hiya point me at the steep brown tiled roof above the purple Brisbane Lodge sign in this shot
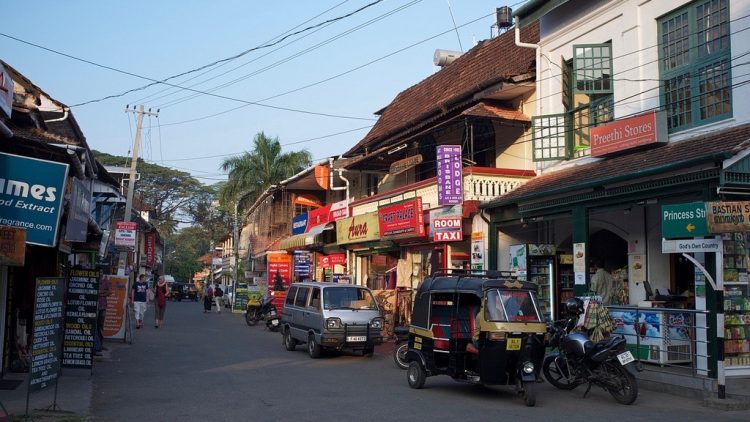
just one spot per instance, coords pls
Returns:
(488, 63)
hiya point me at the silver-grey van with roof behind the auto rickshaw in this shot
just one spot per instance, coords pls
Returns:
(331, 316)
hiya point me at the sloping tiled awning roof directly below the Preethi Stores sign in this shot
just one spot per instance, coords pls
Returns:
(708, 147)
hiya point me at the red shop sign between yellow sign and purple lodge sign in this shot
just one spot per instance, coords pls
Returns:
(402, 219)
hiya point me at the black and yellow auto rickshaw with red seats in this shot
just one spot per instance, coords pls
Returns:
(483, 328)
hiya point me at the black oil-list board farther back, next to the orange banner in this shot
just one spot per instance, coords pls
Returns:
(80, 318)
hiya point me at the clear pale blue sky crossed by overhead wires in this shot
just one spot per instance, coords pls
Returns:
(317, 89)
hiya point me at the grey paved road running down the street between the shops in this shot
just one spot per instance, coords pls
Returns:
(214, 367)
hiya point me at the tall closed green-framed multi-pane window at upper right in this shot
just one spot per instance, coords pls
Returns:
(695, 65)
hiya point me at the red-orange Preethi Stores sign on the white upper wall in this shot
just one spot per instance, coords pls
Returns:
(624, 134)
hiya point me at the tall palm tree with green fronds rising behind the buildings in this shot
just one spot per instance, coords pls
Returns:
(252, 172)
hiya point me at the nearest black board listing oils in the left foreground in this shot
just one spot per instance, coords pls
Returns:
(46, 337)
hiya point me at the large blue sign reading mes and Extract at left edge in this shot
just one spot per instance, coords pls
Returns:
(31, 195)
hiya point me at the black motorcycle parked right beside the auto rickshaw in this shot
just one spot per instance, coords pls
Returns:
(577, 360)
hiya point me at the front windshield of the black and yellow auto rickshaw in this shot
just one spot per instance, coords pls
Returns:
(511, 306)
